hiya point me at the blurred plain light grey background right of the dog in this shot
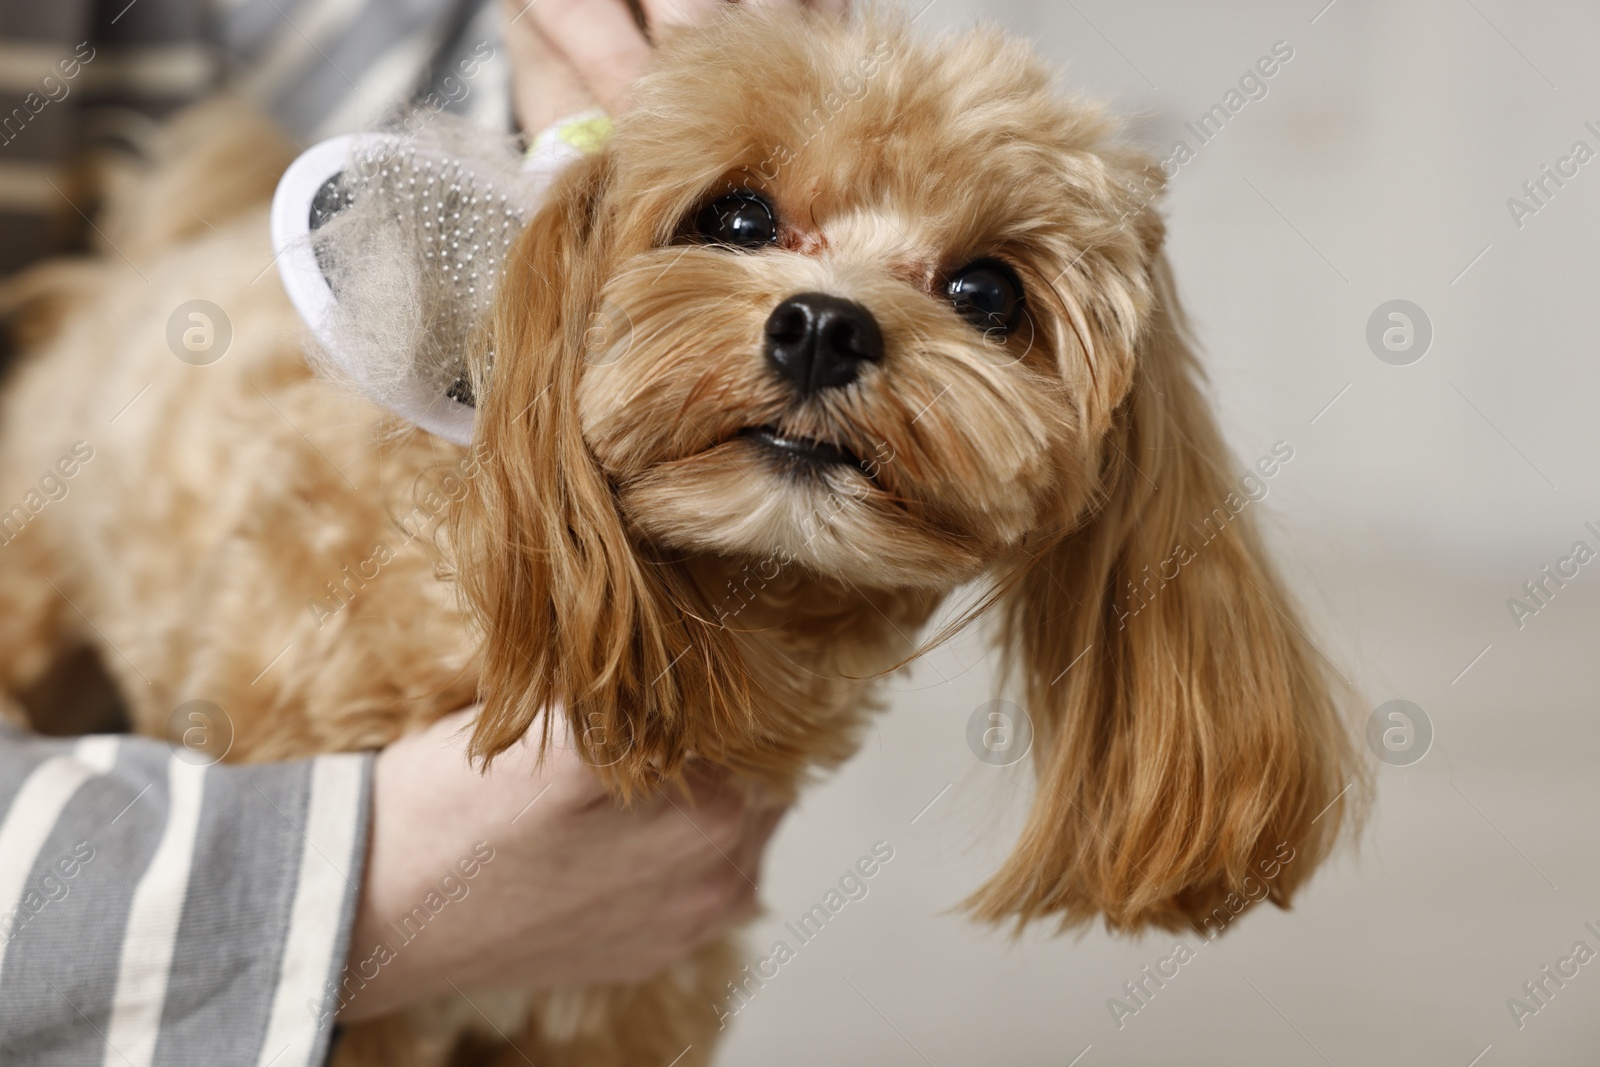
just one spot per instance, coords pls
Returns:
(1420, 500)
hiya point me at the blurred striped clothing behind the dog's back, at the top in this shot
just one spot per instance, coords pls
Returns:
(78, 76)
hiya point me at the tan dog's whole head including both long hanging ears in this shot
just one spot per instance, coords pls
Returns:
(895, 313)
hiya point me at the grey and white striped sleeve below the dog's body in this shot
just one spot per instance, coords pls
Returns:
(156, 911)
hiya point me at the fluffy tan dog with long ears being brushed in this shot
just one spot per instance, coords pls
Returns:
(882, 343)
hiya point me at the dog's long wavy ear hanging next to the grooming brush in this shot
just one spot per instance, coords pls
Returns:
(577, 615)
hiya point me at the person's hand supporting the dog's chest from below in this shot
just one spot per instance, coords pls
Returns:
(575, 890)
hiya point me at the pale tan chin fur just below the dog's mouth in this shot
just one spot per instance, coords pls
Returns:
(833, 522)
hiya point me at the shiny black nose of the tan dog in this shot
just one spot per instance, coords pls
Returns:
(820, 342)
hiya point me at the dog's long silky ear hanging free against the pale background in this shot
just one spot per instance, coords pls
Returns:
(1186, 738)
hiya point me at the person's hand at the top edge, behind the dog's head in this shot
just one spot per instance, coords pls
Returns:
(572, 55)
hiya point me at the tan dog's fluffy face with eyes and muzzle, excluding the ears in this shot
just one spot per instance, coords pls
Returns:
(852, 289)
